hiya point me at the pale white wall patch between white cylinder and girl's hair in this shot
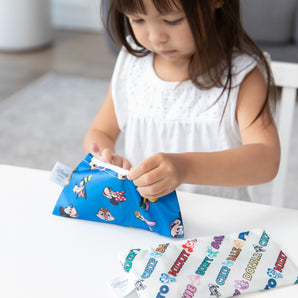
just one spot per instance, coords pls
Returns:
(77, 14)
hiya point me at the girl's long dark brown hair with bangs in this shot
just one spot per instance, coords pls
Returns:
(214, 55)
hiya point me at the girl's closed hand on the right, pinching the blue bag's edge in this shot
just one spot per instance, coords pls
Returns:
(158, 175)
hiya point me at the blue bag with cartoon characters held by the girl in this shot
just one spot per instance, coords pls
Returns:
(101, 192)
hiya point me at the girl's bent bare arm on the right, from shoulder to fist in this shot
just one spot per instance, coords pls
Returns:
(255, 161)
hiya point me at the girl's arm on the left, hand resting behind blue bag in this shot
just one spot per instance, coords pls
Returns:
(103, 133)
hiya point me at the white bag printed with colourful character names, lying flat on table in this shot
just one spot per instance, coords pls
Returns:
(217, 266)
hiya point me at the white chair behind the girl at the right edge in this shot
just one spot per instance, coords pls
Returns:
(286, 77)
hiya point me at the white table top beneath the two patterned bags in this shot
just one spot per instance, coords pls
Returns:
(42, 255)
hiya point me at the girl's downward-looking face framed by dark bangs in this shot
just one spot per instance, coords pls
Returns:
(168, 35)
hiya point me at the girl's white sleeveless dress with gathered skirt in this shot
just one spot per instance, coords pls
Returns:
(161, 116)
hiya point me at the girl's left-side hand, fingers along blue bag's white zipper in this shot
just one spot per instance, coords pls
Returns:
(110, 157)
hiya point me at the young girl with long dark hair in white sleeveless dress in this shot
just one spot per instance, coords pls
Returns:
(190, 90)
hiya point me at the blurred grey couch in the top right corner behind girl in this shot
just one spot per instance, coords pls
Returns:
(273, 25)
